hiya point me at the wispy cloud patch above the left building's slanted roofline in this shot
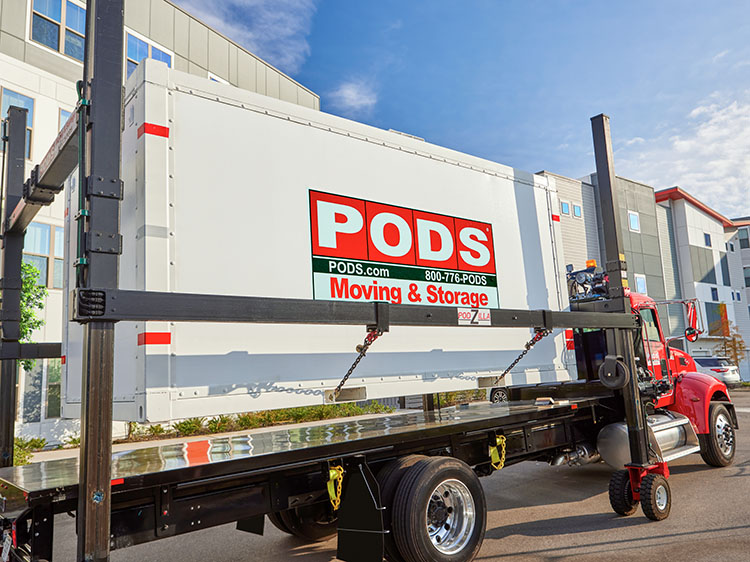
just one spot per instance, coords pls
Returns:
(275, 30)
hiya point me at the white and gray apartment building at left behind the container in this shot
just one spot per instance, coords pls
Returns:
(41, 53)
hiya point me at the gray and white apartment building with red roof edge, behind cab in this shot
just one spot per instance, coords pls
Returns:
(675, 246)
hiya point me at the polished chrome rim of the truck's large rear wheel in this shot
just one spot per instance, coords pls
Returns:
(450, 516)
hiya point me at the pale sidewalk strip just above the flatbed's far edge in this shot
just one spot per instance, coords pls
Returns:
(74, 452)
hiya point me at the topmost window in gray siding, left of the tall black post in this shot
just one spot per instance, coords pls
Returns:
(59, 25)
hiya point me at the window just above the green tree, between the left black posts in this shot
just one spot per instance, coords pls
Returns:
(43, 247)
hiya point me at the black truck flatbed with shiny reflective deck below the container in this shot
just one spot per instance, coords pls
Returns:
(170, 489)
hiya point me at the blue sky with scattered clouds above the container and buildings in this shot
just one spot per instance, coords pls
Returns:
(516, 82)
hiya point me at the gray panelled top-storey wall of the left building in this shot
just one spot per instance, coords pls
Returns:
(197, 49)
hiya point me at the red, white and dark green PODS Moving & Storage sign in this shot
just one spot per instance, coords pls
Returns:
(363, 250)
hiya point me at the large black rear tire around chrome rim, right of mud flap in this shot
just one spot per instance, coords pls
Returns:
(416, 495)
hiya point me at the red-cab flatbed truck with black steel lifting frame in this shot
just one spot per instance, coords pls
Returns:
(403, 487)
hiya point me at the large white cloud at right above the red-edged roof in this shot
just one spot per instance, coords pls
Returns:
(709, 157)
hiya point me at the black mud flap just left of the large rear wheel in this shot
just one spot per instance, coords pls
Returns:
(360, 517)
